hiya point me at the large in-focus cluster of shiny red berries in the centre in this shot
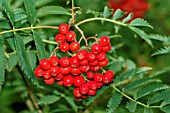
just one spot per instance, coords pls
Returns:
(70, 71)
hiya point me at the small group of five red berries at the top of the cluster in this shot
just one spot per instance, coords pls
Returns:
(67, 39)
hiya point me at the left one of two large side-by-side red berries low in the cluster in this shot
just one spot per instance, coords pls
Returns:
(67, 80)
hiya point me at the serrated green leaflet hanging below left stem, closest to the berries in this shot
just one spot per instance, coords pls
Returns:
(40, 47)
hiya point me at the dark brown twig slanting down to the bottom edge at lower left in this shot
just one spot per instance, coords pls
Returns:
(29, 91)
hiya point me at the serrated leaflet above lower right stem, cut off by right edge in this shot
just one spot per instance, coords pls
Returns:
(160, 96)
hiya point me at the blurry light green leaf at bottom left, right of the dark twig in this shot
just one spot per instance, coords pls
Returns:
(48, 99)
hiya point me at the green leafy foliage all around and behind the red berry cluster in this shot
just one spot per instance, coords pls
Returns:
(21, 51)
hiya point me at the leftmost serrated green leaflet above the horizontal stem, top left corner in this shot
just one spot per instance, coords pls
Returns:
(8, 11)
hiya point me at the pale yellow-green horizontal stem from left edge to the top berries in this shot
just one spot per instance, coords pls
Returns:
(28, 28)
